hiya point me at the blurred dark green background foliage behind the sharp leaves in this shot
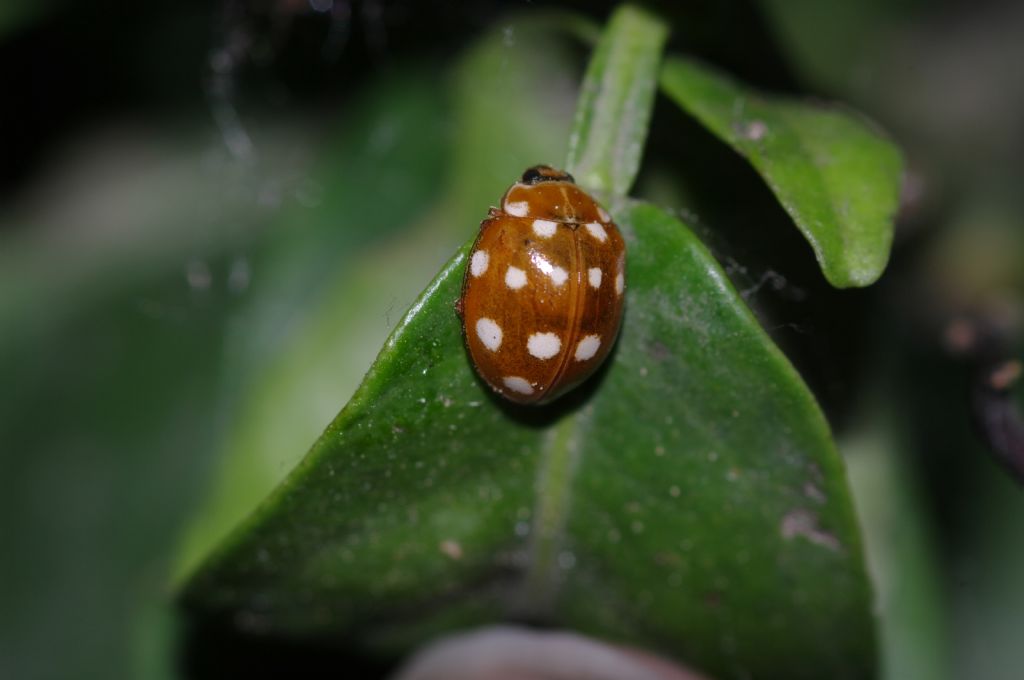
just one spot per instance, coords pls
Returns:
(214, 214)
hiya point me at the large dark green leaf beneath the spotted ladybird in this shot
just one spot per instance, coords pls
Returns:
(689, 499)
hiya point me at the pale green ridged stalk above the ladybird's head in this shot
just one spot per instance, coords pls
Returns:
(616, 104)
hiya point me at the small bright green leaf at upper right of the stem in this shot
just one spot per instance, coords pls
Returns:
(835, 174)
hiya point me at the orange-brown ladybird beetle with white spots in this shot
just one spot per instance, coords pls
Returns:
(542, 299)
